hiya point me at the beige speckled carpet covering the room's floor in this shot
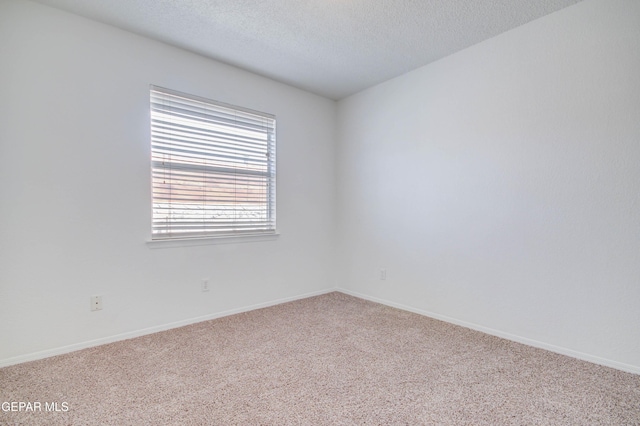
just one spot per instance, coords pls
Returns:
(327, 360)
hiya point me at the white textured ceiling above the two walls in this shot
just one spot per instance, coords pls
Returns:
(330, 47)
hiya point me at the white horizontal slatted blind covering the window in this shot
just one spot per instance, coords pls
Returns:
(213, 167)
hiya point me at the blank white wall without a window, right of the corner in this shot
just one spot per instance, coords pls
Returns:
(500, 186)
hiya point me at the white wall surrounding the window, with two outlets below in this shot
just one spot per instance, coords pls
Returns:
(75, 198)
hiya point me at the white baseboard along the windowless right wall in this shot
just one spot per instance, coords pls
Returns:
(530, 342)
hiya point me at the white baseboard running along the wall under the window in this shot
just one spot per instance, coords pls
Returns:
(130, 335)
